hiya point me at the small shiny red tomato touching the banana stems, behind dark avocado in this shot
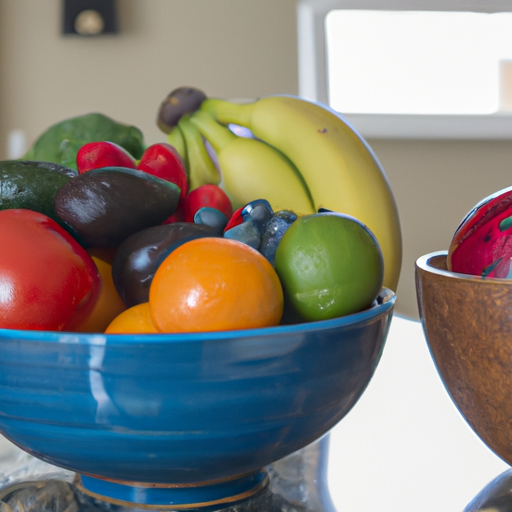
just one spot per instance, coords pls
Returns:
(163, 161)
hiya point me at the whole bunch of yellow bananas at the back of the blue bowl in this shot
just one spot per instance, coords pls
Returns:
(297, 154)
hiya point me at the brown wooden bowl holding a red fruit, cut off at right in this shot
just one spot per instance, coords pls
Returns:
(467, 322)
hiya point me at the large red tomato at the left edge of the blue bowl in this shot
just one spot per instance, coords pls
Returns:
(47, 280)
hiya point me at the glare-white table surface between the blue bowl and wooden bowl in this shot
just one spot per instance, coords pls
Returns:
(404, 446)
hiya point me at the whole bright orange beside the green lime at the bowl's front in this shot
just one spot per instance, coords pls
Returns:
(214, 284)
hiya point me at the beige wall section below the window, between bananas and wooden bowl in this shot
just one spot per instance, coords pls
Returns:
(435, 184)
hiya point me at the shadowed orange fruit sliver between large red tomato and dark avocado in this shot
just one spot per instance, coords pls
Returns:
(109, 304)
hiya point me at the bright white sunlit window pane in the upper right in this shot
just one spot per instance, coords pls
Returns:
(417, 62)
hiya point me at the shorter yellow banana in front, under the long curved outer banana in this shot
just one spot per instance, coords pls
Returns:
(251, 169)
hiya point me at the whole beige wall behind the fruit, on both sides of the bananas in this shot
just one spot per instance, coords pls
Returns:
(232, 49)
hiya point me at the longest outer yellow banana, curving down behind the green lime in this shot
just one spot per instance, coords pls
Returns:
(340, 169)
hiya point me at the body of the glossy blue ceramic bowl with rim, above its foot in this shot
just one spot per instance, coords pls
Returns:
(184, 408)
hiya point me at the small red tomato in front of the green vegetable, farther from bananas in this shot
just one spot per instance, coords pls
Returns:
(95, 155)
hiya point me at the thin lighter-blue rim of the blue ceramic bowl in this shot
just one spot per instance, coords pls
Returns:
(382, 306)
